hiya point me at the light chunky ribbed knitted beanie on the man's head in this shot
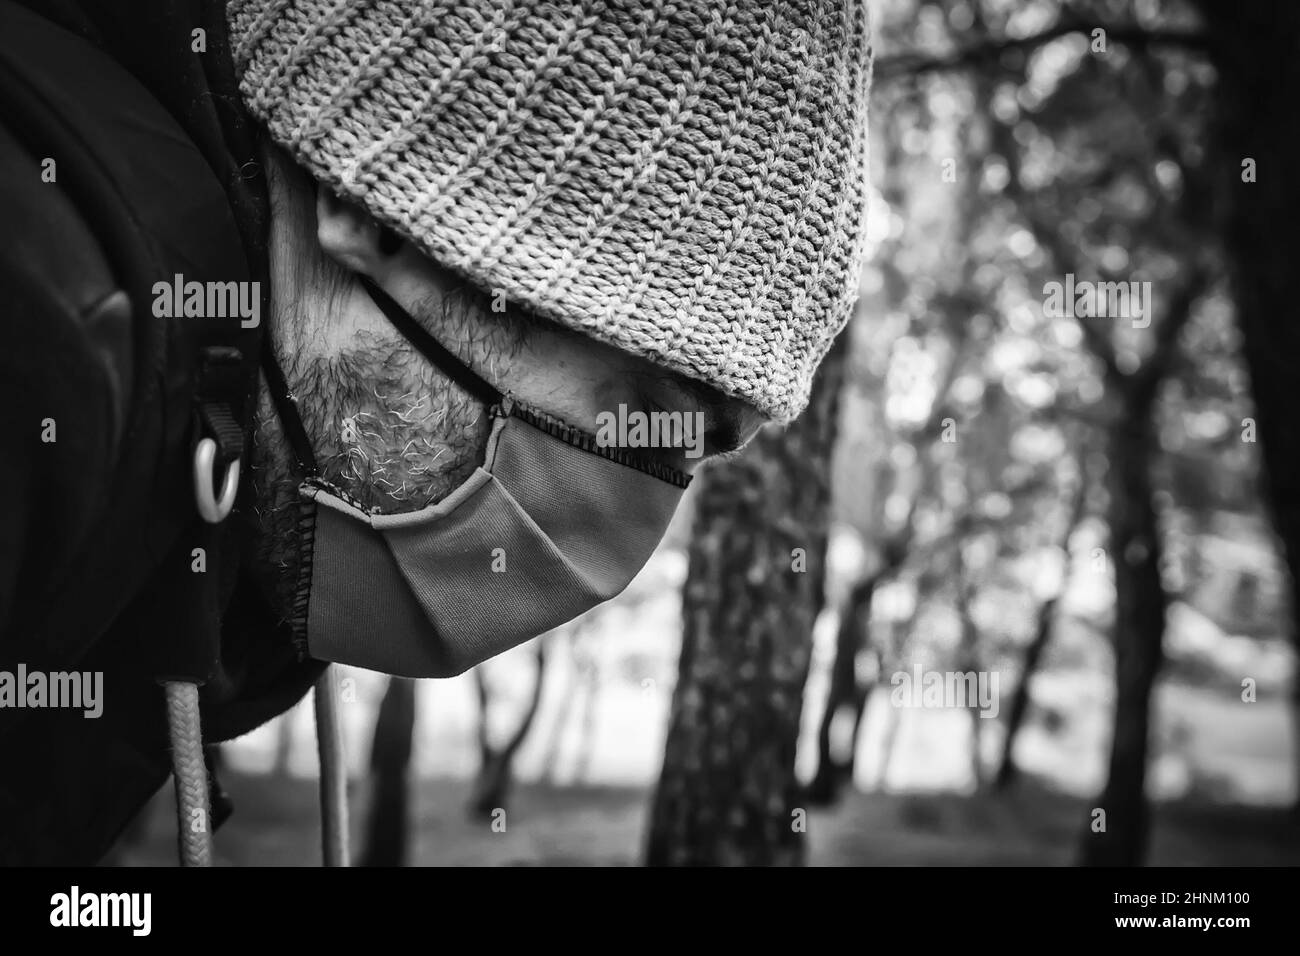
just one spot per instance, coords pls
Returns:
(683, 180)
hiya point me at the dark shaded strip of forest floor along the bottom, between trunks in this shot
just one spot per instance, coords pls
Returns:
(276, 820)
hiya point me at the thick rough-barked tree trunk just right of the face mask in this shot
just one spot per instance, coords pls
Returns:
(729, 794)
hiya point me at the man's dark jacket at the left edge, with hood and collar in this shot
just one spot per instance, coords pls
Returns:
(154, 174)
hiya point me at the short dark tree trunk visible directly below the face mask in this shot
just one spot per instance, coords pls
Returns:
(388, 825)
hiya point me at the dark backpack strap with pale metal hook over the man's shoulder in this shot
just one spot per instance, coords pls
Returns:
(158, 211)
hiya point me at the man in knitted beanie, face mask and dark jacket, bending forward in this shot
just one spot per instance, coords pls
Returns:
(323, 313)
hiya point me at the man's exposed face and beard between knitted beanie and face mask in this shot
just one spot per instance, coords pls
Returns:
(391, 430)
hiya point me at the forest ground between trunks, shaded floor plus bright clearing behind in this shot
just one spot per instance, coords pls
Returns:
(1223, 767)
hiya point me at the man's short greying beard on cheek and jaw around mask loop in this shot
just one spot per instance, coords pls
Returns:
(388, 430)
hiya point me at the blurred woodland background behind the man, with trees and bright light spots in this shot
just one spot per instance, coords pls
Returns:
(1091, 511)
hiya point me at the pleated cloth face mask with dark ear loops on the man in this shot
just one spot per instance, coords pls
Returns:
(548, 527)
